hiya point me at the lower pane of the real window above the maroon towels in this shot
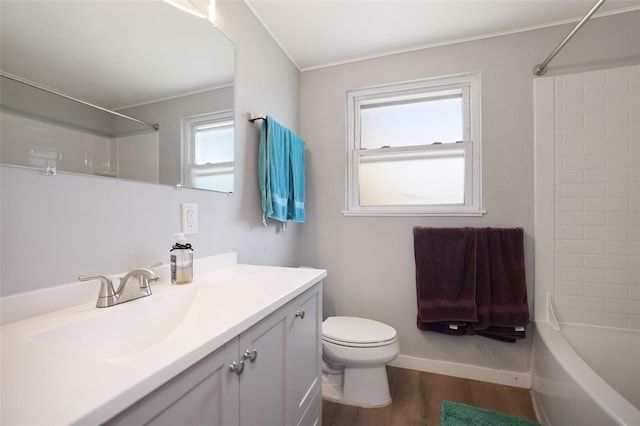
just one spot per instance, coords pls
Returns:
(418, 179)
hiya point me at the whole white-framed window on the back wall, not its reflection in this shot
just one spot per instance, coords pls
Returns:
(414, 148)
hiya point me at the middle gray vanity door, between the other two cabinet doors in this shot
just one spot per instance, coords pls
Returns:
(264, 396)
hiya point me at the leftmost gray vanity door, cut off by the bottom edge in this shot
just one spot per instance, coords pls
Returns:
(205, 394)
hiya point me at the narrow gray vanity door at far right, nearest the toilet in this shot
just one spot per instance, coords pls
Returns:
(307, 352)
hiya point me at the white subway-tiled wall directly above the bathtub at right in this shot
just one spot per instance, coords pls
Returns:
(598, 197)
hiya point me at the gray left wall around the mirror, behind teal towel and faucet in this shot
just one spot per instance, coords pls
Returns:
(56, 228)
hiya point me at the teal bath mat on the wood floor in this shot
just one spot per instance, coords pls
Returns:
(456, 414)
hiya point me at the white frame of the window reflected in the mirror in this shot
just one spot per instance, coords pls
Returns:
(189, 126)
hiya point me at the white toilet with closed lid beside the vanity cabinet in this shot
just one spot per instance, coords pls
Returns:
(354, 354)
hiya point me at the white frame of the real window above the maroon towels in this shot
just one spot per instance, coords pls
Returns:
(471, 146)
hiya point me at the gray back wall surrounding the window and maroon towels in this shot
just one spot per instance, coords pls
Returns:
(370, 259)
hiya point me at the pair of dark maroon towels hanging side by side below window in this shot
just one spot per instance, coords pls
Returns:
(473, 278)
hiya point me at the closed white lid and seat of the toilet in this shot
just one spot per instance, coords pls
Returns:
(357, 330)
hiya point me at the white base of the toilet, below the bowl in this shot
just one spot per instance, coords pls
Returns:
(361, 387)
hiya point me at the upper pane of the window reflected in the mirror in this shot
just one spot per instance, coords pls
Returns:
(213, 144)
